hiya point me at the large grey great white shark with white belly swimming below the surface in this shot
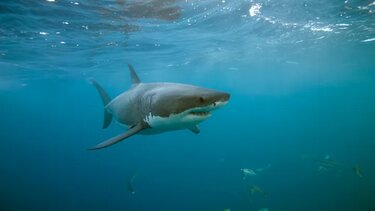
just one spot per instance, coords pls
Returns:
(152, 108)
